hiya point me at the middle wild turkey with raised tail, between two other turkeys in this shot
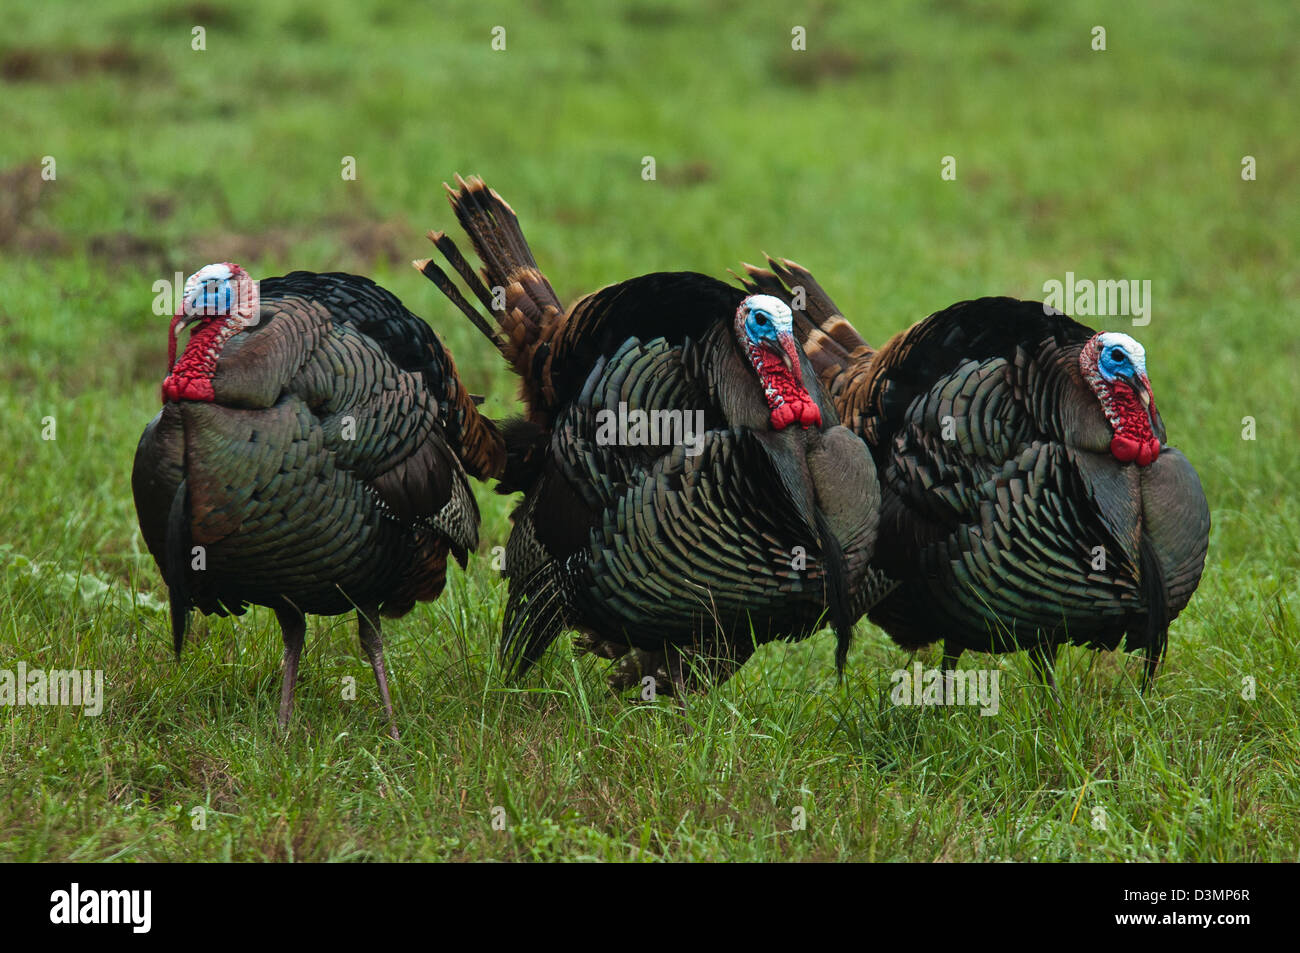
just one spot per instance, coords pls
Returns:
(673, 556)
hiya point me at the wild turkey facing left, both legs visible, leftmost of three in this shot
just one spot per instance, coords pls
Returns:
(310, 457)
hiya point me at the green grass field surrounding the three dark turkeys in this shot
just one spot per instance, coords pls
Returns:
(1124, 163)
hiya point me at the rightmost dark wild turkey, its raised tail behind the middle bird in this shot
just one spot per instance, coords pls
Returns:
(1029, 495)
